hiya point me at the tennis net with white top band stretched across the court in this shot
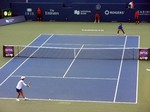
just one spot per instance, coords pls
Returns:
(76, 53)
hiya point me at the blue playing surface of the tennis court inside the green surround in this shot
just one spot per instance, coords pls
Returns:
(95, 74)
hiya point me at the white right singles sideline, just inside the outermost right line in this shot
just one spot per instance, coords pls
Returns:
(120, 69)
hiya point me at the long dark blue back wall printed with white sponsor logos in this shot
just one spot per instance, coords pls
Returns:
(82, 11)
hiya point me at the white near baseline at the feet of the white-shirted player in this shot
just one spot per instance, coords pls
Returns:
(70, 101)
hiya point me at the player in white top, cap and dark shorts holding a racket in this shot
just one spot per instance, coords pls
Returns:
(19, 88)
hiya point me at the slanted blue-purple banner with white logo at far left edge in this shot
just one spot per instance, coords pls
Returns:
(11, 20)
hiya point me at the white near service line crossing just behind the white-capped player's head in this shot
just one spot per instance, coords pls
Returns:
(55, 77)
